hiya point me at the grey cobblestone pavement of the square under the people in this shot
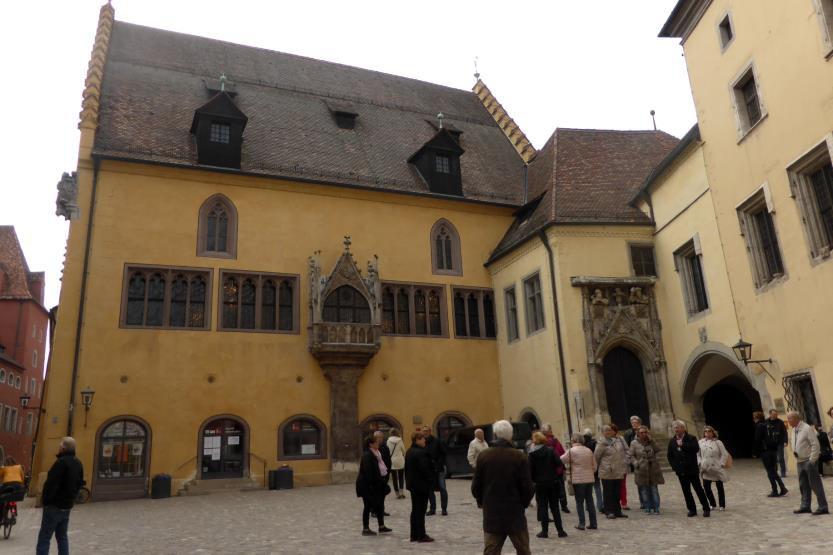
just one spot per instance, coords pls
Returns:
(328, 520)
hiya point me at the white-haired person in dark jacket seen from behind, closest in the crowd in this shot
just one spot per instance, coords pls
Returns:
(502, 486)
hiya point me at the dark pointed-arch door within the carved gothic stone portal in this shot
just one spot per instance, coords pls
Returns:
(625, 388)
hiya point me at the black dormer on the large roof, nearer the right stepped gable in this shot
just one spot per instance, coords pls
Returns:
(438, 162)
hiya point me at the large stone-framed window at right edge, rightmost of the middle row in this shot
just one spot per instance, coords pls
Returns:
(811, 181)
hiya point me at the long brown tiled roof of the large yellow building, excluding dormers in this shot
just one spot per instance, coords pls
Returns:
(155, 79)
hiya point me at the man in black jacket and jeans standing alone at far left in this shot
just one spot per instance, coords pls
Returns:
(64, 480)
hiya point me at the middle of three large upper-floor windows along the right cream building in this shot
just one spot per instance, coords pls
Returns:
(758, 229)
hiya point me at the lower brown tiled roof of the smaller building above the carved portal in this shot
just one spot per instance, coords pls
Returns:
(587, 176)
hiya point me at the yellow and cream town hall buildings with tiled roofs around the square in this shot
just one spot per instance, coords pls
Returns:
(270, 254)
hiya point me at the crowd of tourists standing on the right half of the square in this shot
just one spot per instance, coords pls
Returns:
(507, 479)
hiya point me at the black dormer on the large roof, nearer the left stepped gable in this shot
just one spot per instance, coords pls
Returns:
(218, 127)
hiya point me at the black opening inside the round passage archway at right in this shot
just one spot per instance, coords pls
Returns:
(728, 407)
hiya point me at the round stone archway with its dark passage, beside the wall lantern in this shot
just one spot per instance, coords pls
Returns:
(723, 395)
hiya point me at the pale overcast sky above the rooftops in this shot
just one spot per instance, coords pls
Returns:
(556, 63)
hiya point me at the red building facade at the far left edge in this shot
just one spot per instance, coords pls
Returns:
(24, 325)
